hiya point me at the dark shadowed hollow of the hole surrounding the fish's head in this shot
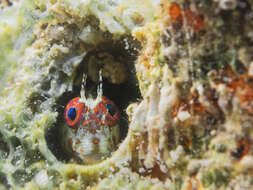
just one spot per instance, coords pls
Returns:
(121, 94)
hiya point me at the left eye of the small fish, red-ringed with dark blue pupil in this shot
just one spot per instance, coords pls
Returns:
(74, 111)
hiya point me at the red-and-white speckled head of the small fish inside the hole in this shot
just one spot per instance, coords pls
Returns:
(91, 129)
